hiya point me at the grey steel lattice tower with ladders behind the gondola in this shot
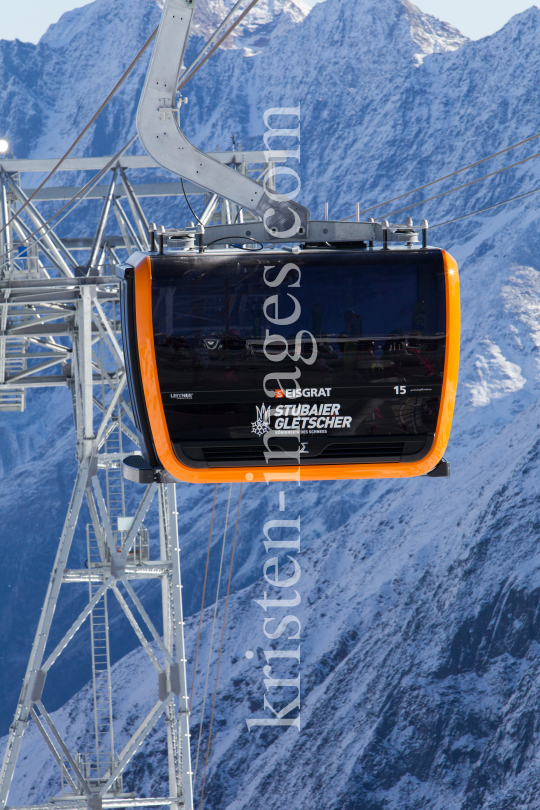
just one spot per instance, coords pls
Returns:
(59, 326)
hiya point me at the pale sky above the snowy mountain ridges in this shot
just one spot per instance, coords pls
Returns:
(28, 20)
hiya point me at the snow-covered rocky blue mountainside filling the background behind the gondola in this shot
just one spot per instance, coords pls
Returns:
(419, 664)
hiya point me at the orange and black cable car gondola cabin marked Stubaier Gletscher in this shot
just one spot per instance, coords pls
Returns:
(335, 361)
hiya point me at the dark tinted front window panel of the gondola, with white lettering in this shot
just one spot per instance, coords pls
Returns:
(364, 333)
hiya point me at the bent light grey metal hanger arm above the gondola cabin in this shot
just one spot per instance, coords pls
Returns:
(160, 134)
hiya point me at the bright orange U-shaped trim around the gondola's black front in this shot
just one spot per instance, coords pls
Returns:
(330, 472)
